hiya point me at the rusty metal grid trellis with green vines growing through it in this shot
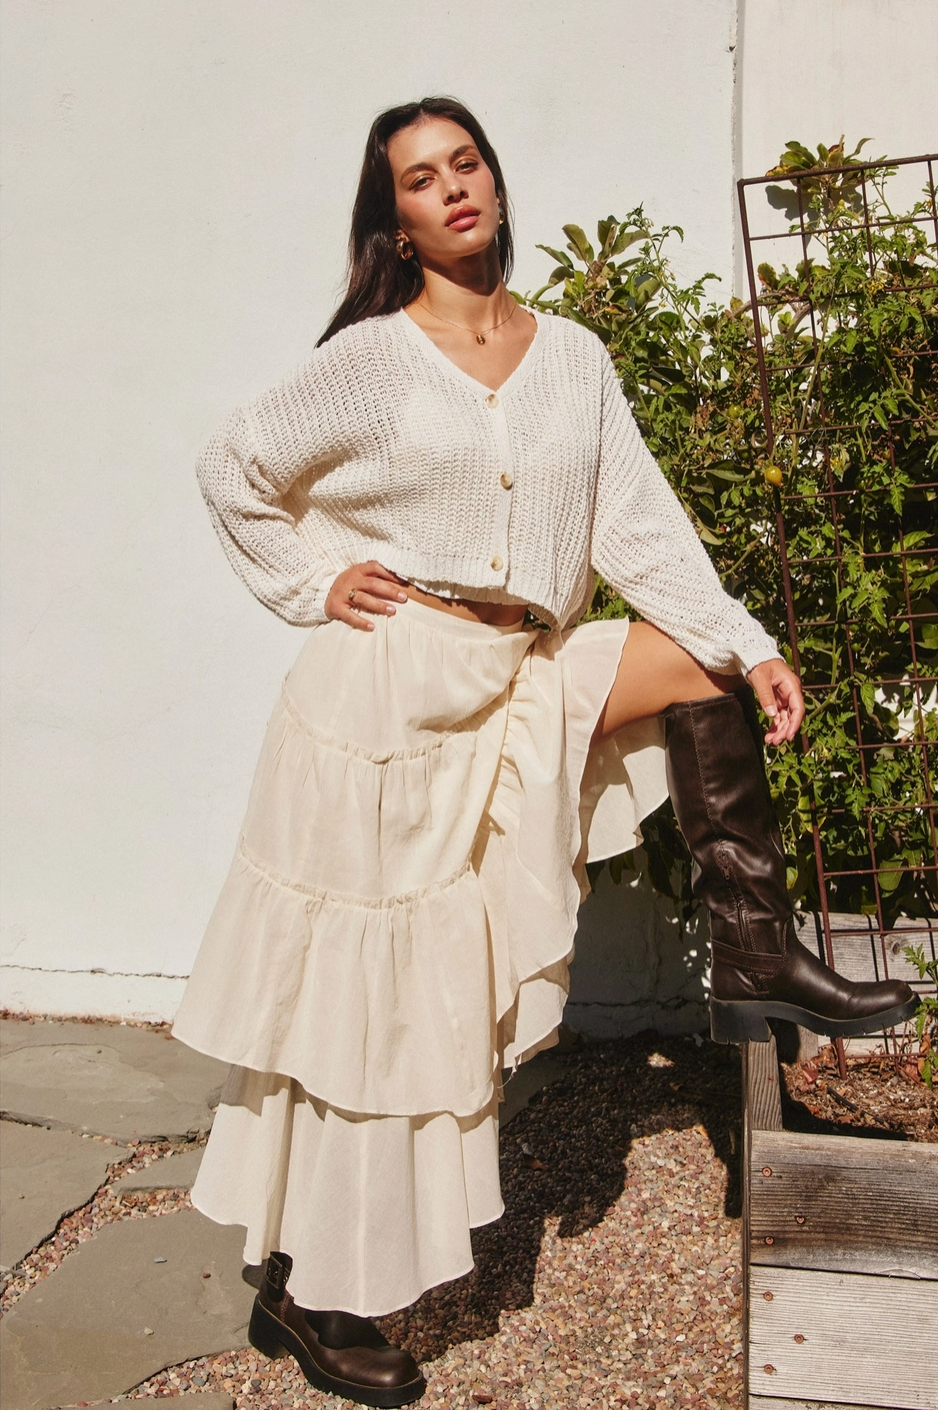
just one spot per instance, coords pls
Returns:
(848, 521)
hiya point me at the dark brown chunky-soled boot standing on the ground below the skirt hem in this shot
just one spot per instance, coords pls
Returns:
(338, 1353)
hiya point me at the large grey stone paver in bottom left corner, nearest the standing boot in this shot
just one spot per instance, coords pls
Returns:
(123, 1306)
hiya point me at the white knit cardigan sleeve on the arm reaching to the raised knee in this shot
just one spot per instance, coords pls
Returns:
(647, 548)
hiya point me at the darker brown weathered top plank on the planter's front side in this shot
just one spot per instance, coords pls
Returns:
(844, 1203)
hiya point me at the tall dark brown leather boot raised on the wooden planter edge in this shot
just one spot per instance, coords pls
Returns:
(760, 969)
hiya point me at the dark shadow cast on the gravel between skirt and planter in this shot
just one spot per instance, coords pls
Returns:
(566, 1157)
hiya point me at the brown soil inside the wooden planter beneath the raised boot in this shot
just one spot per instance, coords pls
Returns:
(881, 1096)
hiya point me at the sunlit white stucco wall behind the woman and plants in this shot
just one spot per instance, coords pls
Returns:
(177, 190)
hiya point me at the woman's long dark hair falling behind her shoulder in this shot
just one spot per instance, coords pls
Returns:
(380, 281)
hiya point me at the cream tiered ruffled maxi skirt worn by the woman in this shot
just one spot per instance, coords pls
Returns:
(396, 931)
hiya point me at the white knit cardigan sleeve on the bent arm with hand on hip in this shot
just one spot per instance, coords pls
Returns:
(246, 474)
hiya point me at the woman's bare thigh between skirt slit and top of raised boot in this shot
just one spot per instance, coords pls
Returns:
(655, 673)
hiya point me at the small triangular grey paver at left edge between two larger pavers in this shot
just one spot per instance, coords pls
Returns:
(43, 1177)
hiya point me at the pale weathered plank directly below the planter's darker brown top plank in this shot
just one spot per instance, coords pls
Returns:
(844, 1337)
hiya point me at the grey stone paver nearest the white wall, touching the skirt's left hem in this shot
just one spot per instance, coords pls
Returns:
(129, 1084)
